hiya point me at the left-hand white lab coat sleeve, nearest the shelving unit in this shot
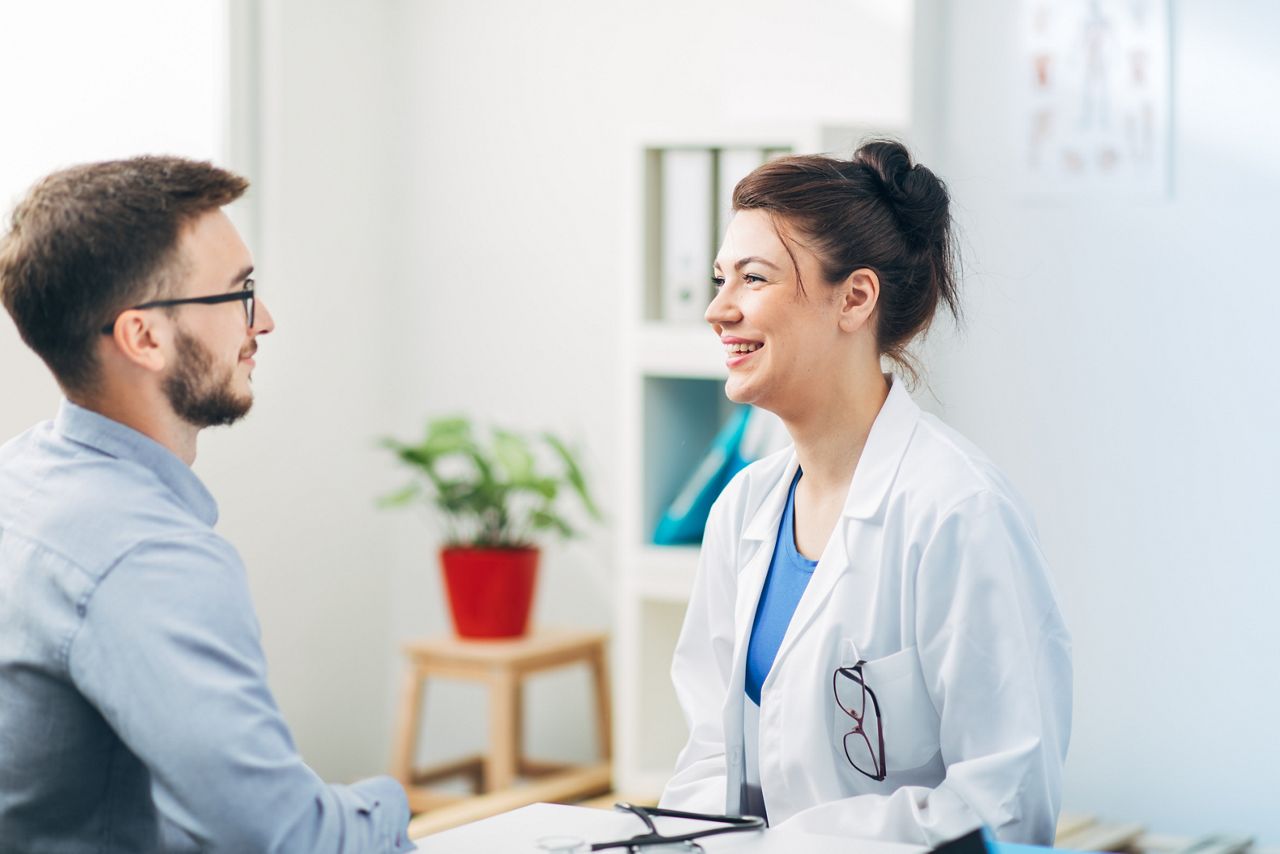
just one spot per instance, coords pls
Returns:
(701, 669)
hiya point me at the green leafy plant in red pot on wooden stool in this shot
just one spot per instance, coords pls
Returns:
(496, 499)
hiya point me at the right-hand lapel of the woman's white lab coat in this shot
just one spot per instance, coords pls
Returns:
(877, 467)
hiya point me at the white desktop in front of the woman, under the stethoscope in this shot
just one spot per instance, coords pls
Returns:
(518, 833)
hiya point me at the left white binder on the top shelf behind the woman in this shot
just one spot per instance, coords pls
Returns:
(688, 220)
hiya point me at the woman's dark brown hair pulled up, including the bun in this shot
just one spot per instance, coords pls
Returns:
(879, 212)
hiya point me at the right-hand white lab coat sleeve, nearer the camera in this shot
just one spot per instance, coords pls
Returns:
(998, 663)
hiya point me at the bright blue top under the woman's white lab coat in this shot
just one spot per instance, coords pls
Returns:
(789, 576)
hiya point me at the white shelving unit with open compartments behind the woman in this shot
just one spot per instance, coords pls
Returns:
(673, 404)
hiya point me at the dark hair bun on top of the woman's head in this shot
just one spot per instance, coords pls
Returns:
(920, 199)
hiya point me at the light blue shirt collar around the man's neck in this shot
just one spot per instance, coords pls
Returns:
(109, 437)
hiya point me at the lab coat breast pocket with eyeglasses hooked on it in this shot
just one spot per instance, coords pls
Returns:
(907, 715)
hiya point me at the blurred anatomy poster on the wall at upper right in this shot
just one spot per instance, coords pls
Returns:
(1095, 81)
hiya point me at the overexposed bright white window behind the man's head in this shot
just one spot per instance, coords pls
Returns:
(85, 98)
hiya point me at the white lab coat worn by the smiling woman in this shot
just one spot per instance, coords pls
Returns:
(935, 577)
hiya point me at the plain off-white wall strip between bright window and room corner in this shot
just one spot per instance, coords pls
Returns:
(298, 481)
